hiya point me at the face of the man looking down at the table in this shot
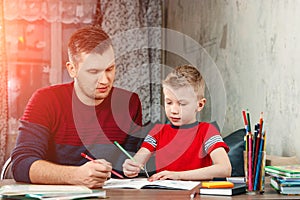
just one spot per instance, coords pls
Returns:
(94, 77)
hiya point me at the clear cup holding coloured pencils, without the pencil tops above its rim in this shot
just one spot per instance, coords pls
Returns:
(254, 167)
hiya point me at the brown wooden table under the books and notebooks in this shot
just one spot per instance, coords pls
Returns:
(152, 194)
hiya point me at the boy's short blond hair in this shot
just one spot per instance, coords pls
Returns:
(186, 75)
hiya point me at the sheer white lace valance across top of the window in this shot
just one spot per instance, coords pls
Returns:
(65, 11)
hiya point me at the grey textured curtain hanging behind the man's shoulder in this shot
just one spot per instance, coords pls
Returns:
(129, 24)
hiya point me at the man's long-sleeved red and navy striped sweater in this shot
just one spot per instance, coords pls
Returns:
(56, 126)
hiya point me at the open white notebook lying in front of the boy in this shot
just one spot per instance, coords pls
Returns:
(143, 183)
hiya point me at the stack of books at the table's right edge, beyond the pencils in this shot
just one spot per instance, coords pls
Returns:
(285, 179)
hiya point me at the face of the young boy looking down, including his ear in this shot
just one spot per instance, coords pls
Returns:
(182, 105)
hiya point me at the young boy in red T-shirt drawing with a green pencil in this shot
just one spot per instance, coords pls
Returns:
(185, 149)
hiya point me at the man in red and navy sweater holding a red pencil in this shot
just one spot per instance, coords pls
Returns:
(85, 116)
